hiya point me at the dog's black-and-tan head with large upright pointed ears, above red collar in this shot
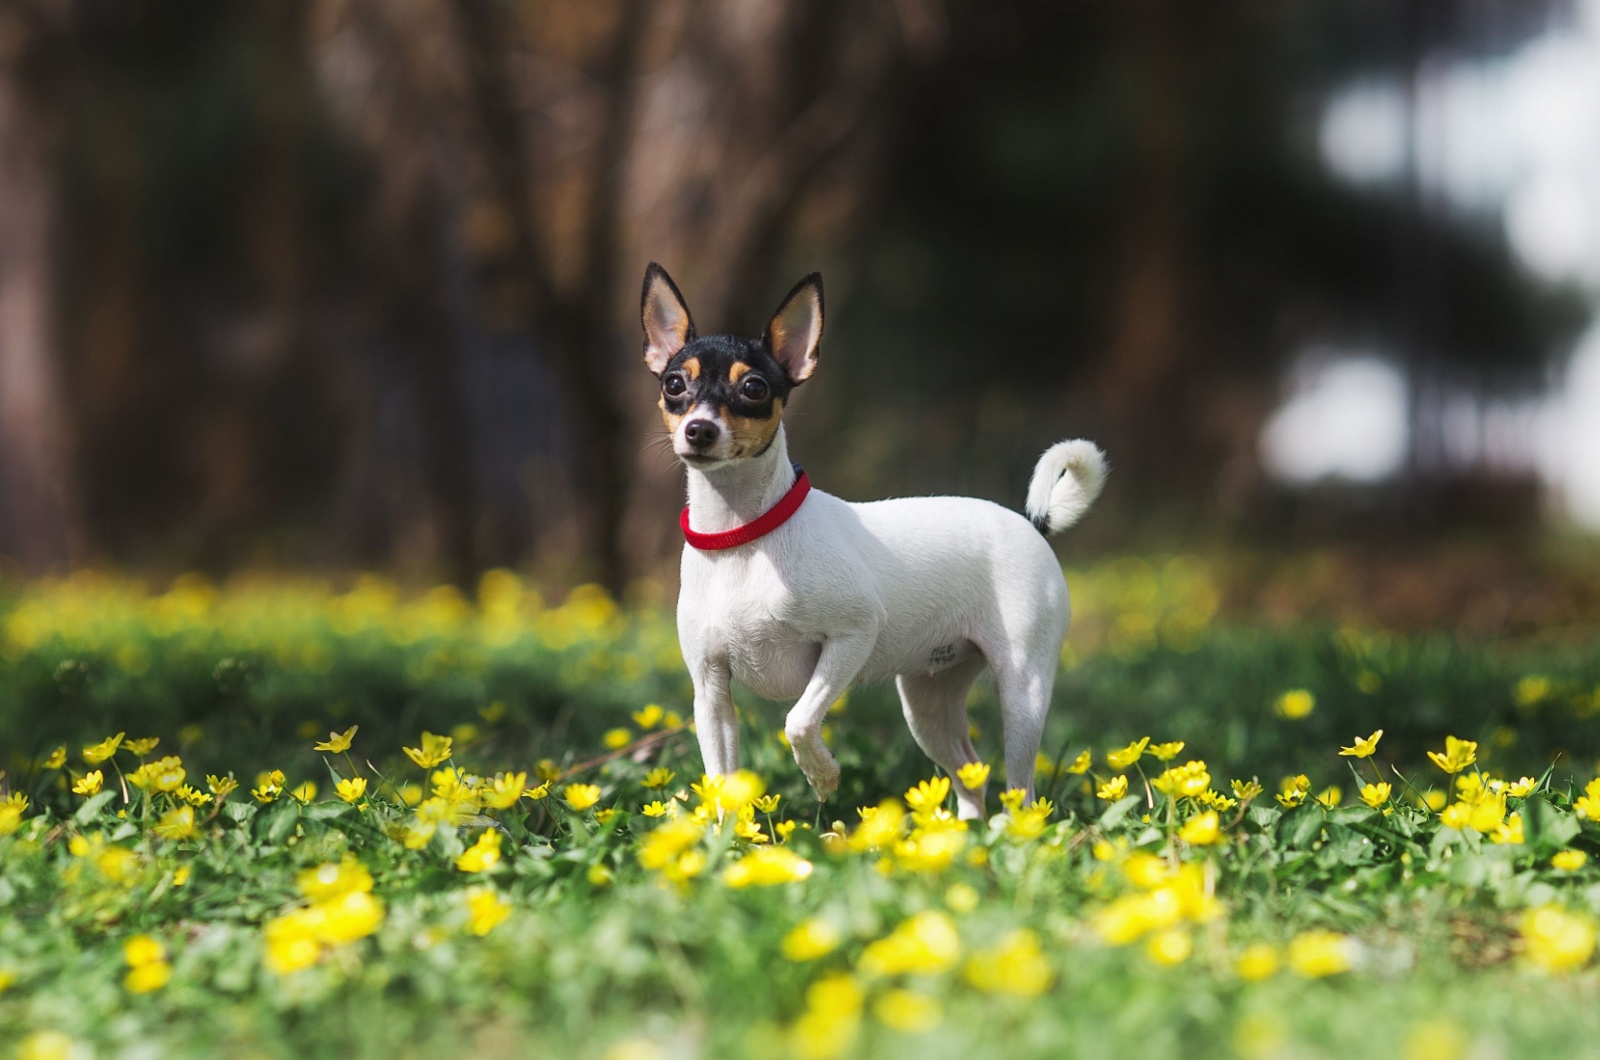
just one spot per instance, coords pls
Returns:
(722, 398)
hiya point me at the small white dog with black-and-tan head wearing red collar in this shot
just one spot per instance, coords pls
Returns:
(799, 595)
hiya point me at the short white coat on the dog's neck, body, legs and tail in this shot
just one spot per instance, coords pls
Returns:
(927, 590)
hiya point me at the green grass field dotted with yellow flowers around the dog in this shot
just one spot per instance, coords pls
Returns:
(287, 819)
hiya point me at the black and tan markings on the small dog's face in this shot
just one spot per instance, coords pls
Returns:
(734, 380)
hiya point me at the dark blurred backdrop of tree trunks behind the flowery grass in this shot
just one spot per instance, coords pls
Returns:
(353, 284)
